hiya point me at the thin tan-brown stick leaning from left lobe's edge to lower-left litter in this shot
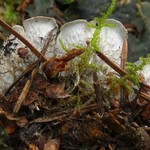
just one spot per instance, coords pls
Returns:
(33, 74)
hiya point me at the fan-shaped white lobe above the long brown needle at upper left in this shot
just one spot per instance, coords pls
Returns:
(37, 30)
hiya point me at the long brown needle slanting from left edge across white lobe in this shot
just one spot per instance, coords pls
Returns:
(22, 39)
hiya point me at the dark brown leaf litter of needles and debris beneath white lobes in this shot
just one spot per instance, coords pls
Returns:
(50, 117)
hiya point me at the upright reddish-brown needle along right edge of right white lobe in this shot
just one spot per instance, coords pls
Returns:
(124, 54)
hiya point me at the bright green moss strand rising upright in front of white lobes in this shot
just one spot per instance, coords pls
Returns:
(98, 24)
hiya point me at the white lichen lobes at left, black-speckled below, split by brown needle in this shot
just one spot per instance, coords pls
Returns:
(35, 30)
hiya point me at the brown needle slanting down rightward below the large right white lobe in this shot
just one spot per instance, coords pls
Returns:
(118, 69)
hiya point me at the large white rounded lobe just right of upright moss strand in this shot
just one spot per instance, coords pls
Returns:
(112, 38)
